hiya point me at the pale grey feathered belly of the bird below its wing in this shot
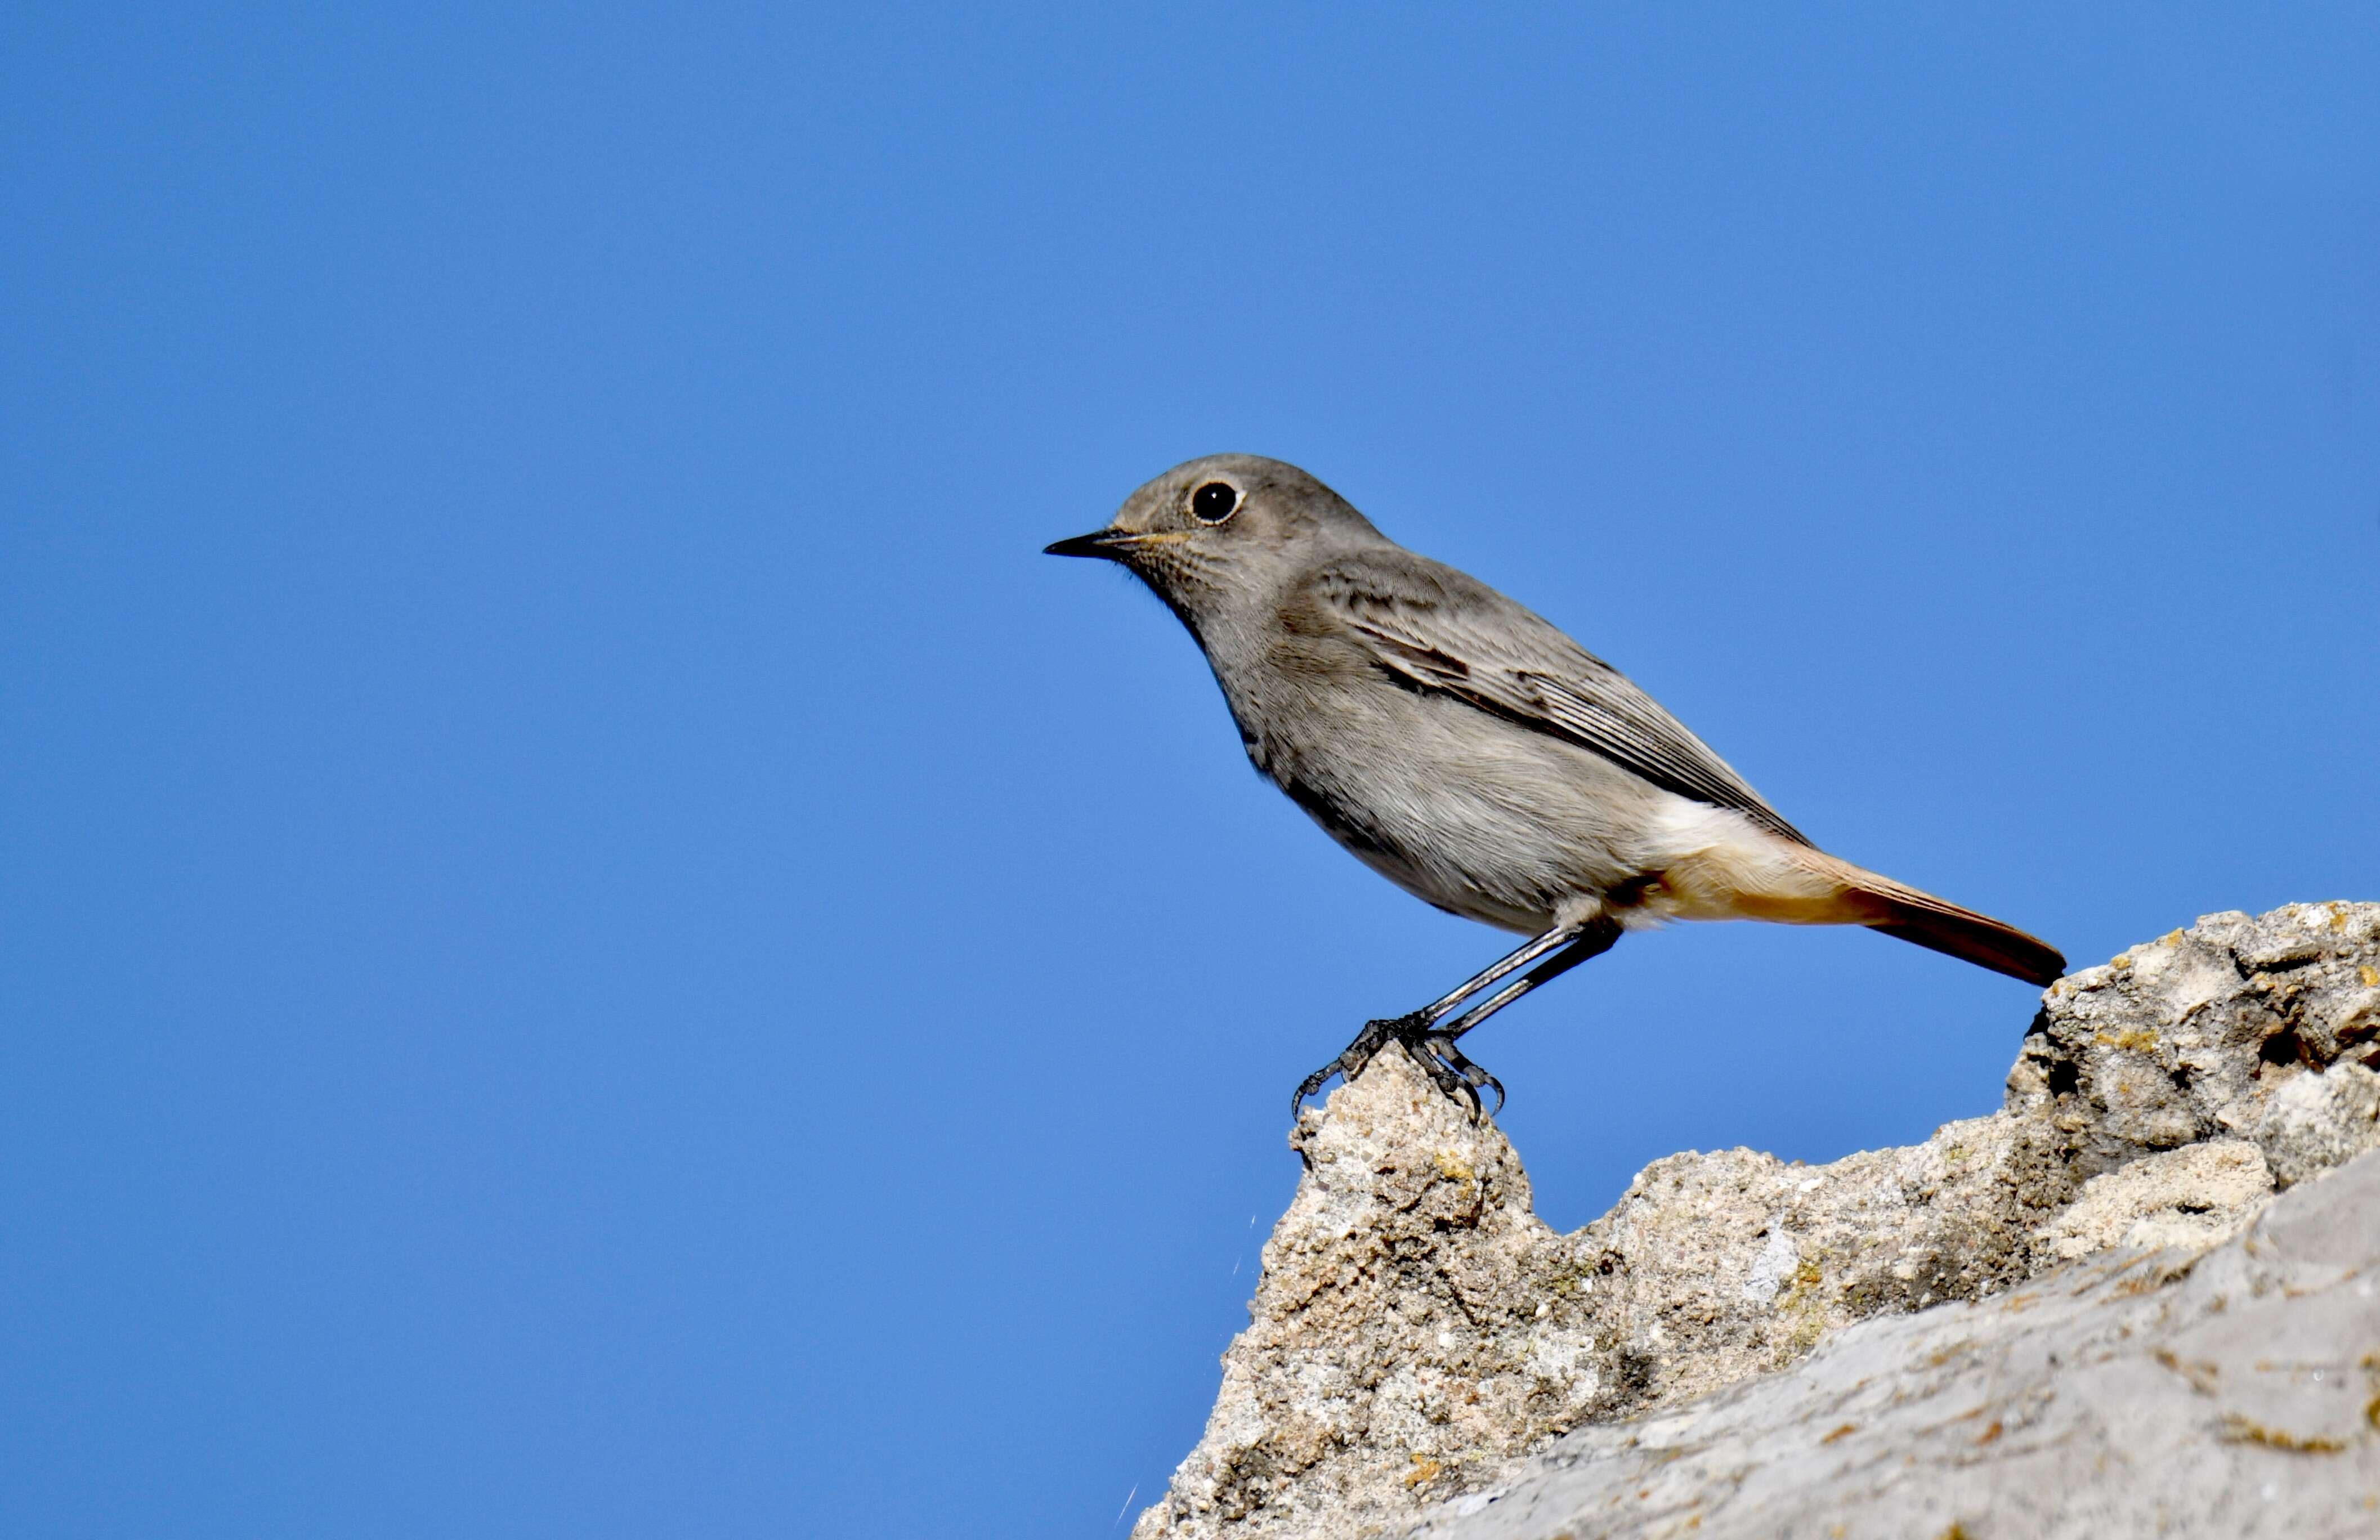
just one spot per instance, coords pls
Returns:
(1465, 810)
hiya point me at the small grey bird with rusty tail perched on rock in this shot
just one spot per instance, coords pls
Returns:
(1472, 753)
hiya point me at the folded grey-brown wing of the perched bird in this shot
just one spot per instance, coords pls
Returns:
(1448, 632)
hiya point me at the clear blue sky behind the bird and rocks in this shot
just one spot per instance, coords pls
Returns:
(599, 946)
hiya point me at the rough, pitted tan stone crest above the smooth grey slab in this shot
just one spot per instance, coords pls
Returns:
(1417, 1332)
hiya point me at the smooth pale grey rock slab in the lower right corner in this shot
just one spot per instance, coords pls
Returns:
(2224, 1394)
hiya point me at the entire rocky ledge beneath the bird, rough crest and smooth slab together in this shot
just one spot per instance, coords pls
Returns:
(2084, 1315)
